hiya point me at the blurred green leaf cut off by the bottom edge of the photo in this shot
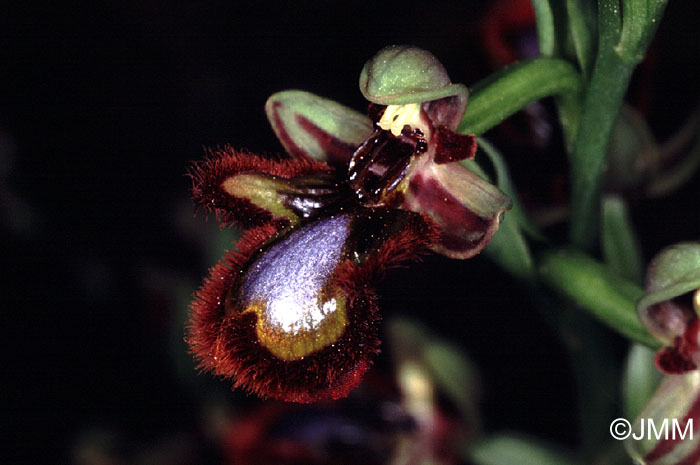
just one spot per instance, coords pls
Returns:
(509, 449)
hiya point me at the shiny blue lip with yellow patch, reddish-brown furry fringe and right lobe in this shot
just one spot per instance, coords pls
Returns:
(292, 315)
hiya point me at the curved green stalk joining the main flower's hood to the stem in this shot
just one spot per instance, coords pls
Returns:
(510, 90)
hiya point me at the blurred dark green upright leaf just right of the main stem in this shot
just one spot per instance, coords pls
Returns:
(620, 245)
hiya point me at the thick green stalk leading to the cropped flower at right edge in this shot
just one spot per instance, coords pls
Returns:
(593, 287)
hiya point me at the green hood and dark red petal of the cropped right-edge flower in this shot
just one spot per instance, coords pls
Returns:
(671, 306)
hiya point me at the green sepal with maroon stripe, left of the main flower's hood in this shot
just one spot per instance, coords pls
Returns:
(311, 126)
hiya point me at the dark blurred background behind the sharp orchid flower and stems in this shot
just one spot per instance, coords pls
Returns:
(104, 104)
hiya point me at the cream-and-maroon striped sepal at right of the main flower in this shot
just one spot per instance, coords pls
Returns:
(466, 208)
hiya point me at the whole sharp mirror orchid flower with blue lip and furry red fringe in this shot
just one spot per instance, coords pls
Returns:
(292, 313)
